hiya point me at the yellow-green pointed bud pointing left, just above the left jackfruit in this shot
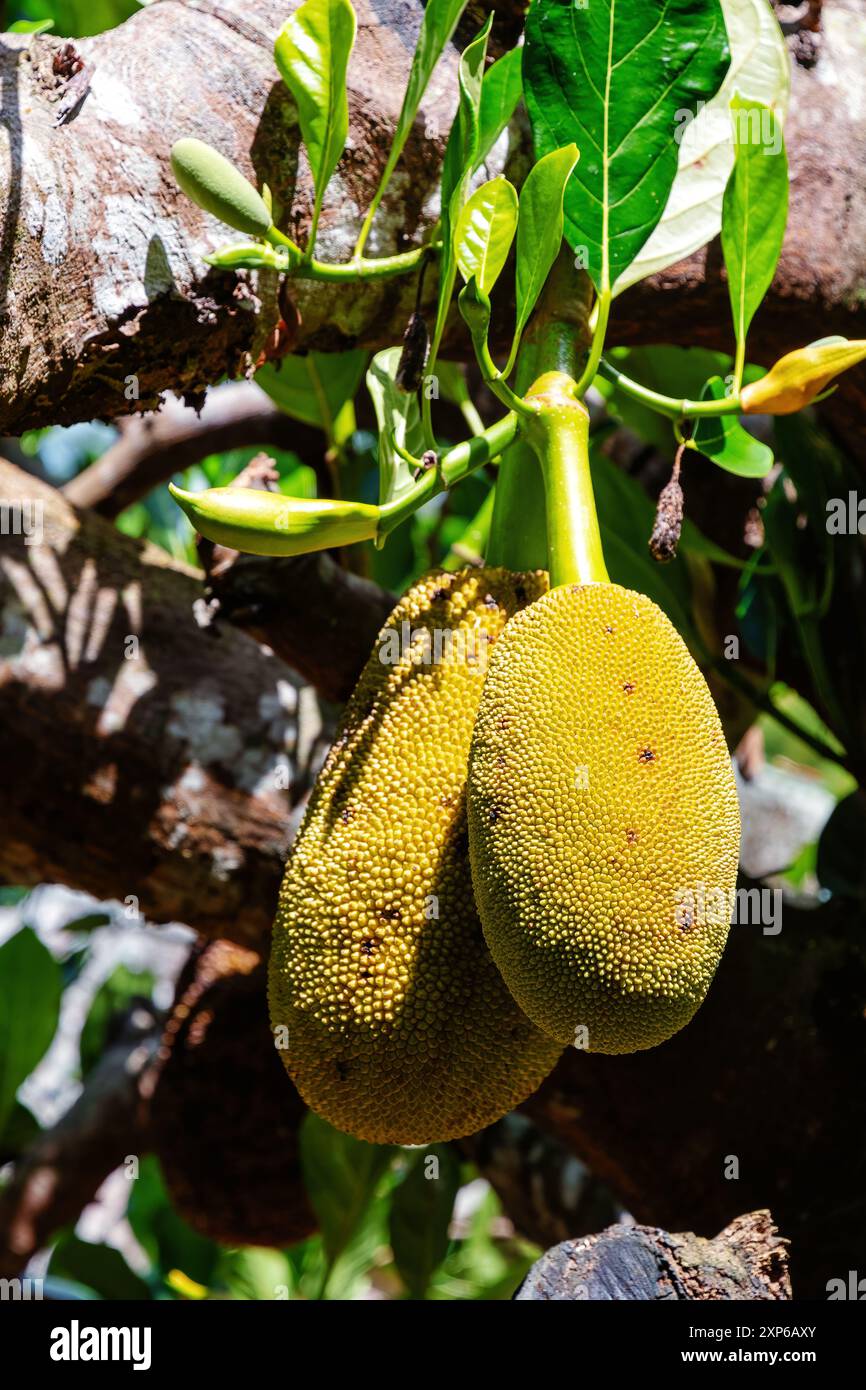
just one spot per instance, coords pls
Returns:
(266, 523)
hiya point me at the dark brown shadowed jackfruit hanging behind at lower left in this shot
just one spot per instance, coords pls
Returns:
(224, 1121)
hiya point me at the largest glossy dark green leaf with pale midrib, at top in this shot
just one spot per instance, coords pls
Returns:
(612, 80)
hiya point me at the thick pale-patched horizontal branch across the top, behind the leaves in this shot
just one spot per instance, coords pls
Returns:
(102, 256)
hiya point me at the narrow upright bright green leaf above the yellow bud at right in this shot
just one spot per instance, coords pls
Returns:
(755, 211)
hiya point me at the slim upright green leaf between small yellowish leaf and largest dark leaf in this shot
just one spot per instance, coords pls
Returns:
(540, 231)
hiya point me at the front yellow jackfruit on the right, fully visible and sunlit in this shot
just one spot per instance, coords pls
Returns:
(604, 819)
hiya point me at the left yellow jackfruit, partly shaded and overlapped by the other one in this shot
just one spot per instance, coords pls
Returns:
(400, 1028)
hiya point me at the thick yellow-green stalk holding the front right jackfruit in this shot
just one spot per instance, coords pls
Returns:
(559, 433)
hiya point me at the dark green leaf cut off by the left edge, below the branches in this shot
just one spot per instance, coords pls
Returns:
(30, 1008)
